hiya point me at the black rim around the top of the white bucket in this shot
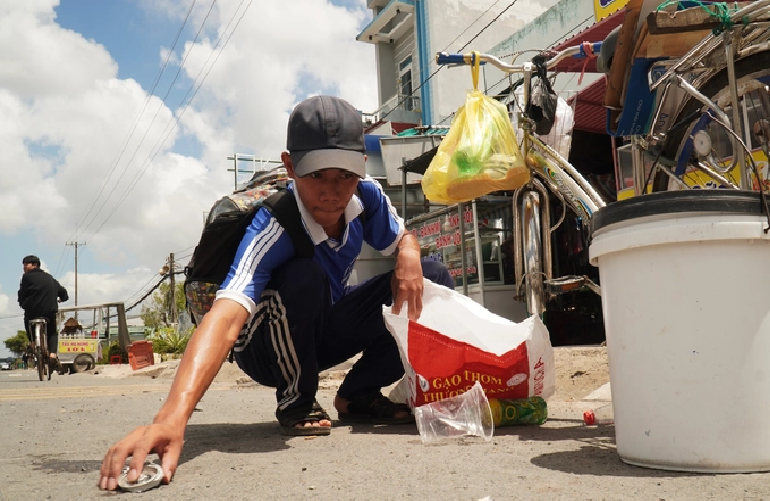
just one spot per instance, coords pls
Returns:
(741, 202)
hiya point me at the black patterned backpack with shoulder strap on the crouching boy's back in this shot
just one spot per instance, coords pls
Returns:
(222, 234)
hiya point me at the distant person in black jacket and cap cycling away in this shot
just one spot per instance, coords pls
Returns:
(39, 297)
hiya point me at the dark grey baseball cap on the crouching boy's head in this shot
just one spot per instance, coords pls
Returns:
(326, 132)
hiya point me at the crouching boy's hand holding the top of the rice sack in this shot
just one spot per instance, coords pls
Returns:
(407, 278)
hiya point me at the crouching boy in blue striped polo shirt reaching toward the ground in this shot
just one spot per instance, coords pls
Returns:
(289, 317)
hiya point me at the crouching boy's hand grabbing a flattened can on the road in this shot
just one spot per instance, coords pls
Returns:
(164, 439)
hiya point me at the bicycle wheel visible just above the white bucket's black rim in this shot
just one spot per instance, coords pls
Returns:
(701, 139)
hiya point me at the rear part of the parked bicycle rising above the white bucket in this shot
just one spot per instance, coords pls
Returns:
(710, 142)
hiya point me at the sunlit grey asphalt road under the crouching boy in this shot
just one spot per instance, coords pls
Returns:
(56, 432)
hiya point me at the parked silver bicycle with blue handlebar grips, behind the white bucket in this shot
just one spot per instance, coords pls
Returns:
(665, 144)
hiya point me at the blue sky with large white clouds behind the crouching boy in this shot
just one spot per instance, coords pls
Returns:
(75, 78)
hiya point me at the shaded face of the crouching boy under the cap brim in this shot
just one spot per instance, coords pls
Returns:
(326, 193)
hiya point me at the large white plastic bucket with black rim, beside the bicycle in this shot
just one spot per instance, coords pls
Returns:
(685, 280)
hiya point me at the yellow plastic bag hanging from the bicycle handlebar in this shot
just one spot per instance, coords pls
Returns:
(479, 154)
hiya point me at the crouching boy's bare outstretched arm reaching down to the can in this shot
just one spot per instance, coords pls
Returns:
(200, 364)
